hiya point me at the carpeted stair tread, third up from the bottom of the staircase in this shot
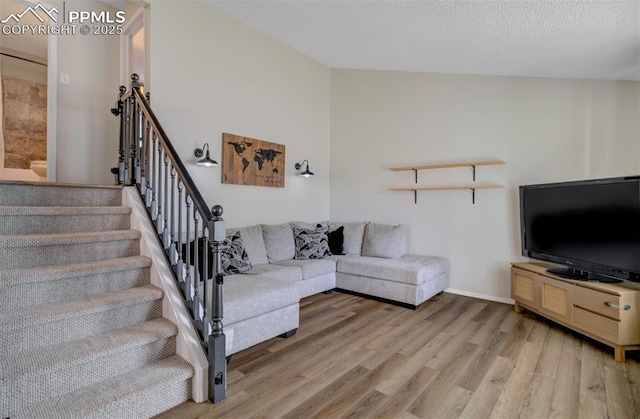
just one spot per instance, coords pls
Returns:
(27, 316)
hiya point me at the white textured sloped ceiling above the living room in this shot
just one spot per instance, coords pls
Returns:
(568, 39)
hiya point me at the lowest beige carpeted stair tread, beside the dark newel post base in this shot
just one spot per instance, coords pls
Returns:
(91, 399)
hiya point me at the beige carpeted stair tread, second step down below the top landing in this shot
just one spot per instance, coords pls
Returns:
(67, 238)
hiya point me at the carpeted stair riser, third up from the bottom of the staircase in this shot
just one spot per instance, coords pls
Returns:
(32, 336)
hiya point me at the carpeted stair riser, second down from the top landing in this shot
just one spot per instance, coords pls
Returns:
(53, 224)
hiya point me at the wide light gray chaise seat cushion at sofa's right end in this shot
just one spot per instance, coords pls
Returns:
(410, 269)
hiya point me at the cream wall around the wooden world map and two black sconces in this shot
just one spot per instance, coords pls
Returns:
(212, 74)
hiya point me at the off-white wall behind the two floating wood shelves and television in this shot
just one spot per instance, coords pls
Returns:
(545, 129)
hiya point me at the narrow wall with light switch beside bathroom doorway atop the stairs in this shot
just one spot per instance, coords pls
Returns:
(87, 144)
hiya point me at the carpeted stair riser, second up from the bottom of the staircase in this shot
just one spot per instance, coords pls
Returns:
(35, 388)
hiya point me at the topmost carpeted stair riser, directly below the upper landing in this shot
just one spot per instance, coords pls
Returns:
(59, 196)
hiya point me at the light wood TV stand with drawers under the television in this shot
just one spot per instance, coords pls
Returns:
(608, 313)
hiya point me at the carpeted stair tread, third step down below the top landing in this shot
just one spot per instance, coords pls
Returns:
(56, 272)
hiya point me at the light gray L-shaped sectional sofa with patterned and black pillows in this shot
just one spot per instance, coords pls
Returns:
(272, 267)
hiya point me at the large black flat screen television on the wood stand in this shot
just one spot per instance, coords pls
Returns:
(591, 227)
